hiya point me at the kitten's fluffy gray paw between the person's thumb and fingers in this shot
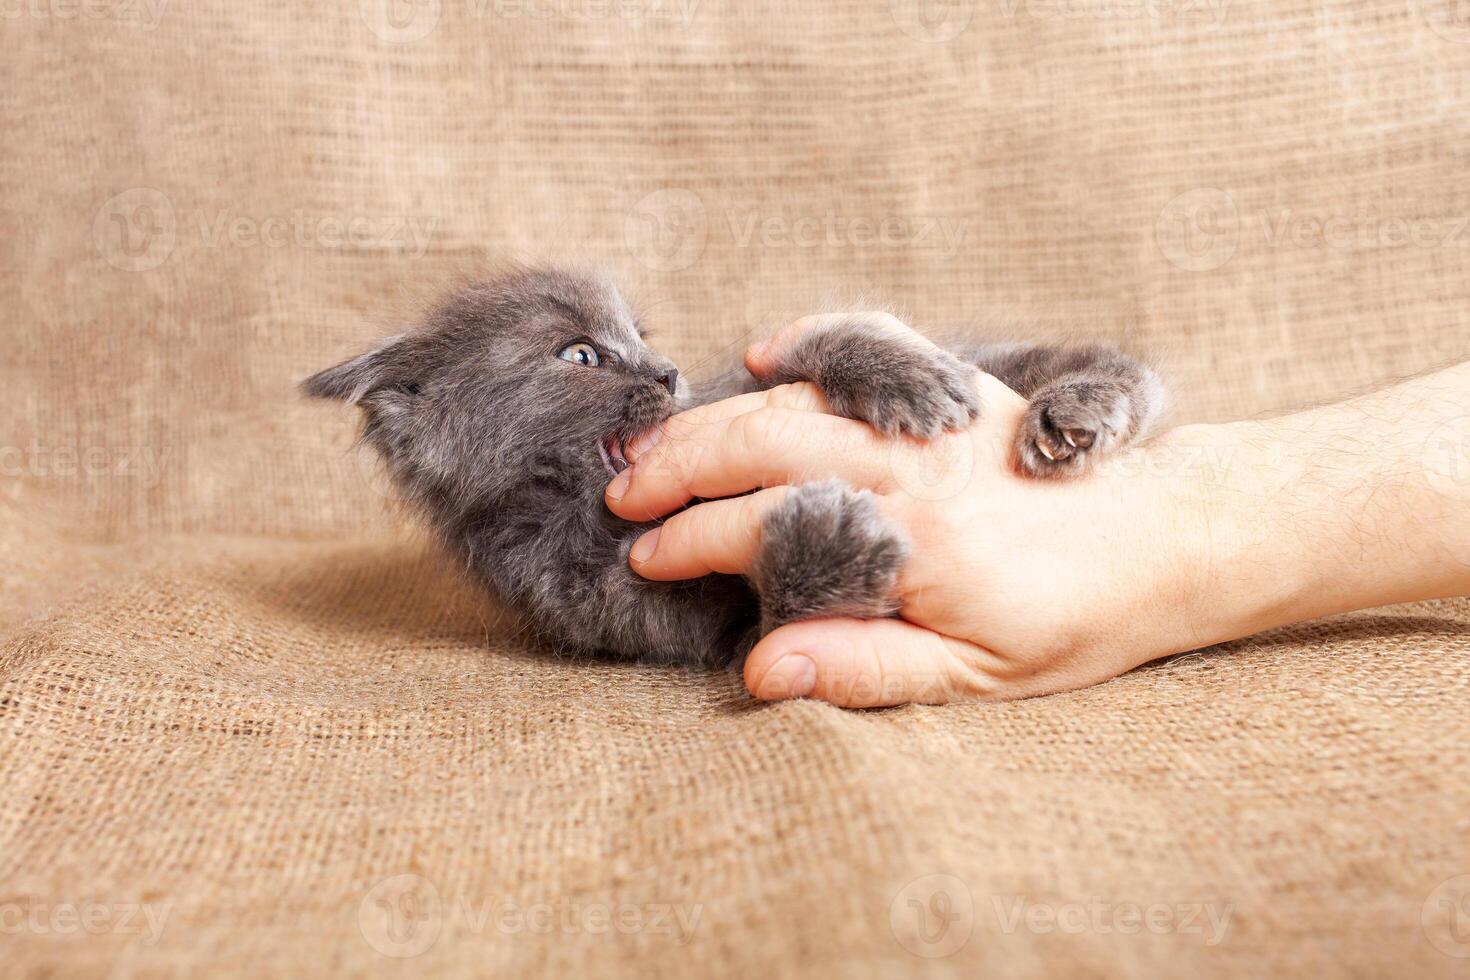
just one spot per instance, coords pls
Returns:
(827, 550)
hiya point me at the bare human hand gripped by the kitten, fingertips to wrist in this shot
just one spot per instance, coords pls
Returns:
(989, 609)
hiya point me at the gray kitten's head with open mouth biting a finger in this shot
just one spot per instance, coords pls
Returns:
(537, 377)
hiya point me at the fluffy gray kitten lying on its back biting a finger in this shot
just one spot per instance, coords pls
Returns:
(503, 419)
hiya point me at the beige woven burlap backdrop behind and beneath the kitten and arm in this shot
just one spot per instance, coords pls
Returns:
(243, 700)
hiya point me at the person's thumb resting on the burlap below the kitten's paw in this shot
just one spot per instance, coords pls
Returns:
(868, 665)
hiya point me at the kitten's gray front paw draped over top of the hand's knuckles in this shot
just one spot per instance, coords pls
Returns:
(894, 383)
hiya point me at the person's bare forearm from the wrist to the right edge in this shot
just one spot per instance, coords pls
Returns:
(1352, 506)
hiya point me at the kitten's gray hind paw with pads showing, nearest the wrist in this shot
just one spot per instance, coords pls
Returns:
(1071, 424)
